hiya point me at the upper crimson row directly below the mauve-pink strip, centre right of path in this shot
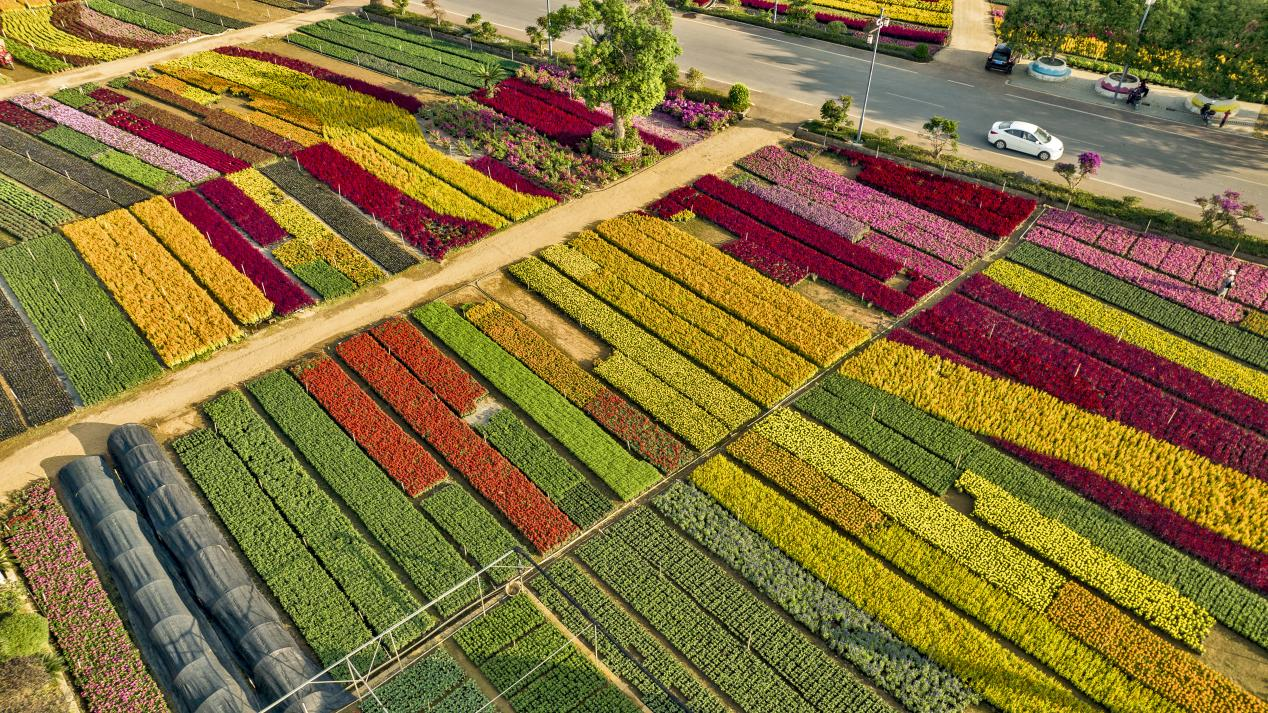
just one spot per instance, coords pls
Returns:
(796, 226)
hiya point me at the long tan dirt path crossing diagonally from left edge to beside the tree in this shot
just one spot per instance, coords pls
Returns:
(42, 451)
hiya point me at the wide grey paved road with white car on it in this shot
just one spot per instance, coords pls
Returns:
(1168, 162)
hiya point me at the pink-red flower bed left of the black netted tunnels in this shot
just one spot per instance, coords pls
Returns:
(101, 658)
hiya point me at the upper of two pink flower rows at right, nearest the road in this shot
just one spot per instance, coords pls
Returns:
(1191, 265)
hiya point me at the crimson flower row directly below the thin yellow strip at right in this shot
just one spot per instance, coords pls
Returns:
(1189, 385)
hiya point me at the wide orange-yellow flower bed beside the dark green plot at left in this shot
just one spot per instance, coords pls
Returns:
(178, 318)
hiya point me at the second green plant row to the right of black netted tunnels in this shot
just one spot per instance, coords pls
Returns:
(362, 574)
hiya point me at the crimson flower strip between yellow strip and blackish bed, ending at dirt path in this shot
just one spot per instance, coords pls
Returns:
(429, 232)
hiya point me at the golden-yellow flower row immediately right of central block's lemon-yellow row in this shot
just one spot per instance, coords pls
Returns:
(713, 355)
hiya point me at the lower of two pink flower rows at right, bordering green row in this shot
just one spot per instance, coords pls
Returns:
(1137, 275)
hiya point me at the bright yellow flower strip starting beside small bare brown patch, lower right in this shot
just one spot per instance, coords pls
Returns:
(1156, 602)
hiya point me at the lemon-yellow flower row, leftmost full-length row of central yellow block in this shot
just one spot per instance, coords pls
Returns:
(651, 353)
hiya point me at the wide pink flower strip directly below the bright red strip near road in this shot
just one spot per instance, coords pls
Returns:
(902, 221)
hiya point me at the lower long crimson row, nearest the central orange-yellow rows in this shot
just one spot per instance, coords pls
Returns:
(838, 273)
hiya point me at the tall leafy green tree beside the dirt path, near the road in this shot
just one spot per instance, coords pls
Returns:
(624, 56)
